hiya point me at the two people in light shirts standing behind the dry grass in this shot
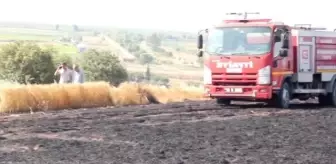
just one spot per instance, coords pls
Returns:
(67, 75)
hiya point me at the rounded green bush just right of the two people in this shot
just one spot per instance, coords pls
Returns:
(103, 66)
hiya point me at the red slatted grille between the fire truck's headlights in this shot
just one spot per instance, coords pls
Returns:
(232, 79)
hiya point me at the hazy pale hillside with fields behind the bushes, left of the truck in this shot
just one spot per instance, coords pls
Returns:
(176, 50)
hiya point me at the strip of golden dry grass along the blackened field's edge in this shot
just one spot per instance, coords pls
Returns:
(25, 98)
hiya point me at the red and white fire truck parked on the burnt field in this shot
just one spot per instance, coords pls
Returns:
(267, 61)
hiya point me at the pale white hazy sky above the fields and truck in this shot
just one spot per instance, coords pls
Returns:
(190, 15)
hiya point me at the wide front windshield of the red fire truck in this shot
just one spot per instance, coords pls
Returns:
(239, 41)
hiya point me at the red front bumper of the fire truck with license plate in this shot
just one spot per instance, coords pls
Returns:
(239, 92)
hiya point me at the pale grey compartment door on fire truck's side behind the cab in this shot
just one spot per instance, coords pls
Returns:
(305, 58)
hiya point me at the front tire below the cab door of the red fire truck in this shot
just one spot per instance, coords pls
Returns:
(283, 99)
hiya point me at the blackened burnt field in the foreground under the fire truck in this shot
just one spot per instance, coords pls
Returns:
(180, 133)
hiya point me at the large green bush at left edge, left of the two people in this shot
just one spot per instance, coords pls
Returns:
(25, 62)
